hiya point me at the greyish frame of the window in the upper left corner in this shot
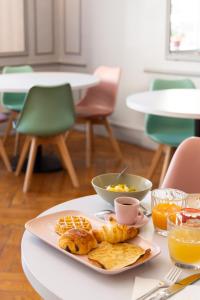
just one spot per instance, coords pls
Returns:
(25, 51)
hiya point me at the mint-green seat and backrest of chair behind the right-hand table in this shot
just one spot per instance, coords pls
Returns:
(153, 121)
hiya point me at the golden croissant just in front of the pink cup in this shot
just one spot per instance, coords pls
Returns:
(114, 233)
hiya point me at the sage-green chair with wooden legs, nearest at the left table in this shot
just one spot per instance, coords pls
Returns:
(47, 114)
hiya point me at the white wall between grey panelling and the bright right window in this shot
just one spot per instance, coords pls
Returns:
(132, 35)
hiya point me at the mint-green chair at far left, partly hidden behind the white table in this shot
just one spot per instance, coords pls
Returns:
(14, 102)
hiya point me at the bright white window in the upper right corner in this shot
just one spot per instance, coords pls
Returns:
(184, 29)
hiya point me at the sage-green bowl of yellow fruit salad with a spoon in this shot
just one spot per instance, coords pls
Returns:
(110, 186)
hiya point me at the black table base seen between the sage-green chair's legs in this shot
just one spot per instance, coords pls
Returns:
(43, 163)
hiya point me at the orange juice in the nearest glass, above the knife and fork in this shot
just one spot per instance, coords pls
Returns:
(184, 245)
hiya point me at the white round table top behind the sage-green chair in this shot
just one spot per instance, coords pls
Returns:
(22, 82)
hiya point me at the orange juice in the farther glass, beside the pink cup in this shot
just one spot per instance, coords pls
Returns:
(160, 213)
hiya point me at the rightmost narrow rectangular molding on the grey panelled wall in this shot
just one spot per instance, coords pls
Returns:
(76, 53)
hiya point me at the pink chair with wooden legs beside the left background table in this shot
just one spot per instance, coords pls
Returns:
(97, 105)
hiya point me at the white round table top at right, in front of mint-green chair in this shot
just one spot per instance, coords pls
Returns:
(179, 103)
